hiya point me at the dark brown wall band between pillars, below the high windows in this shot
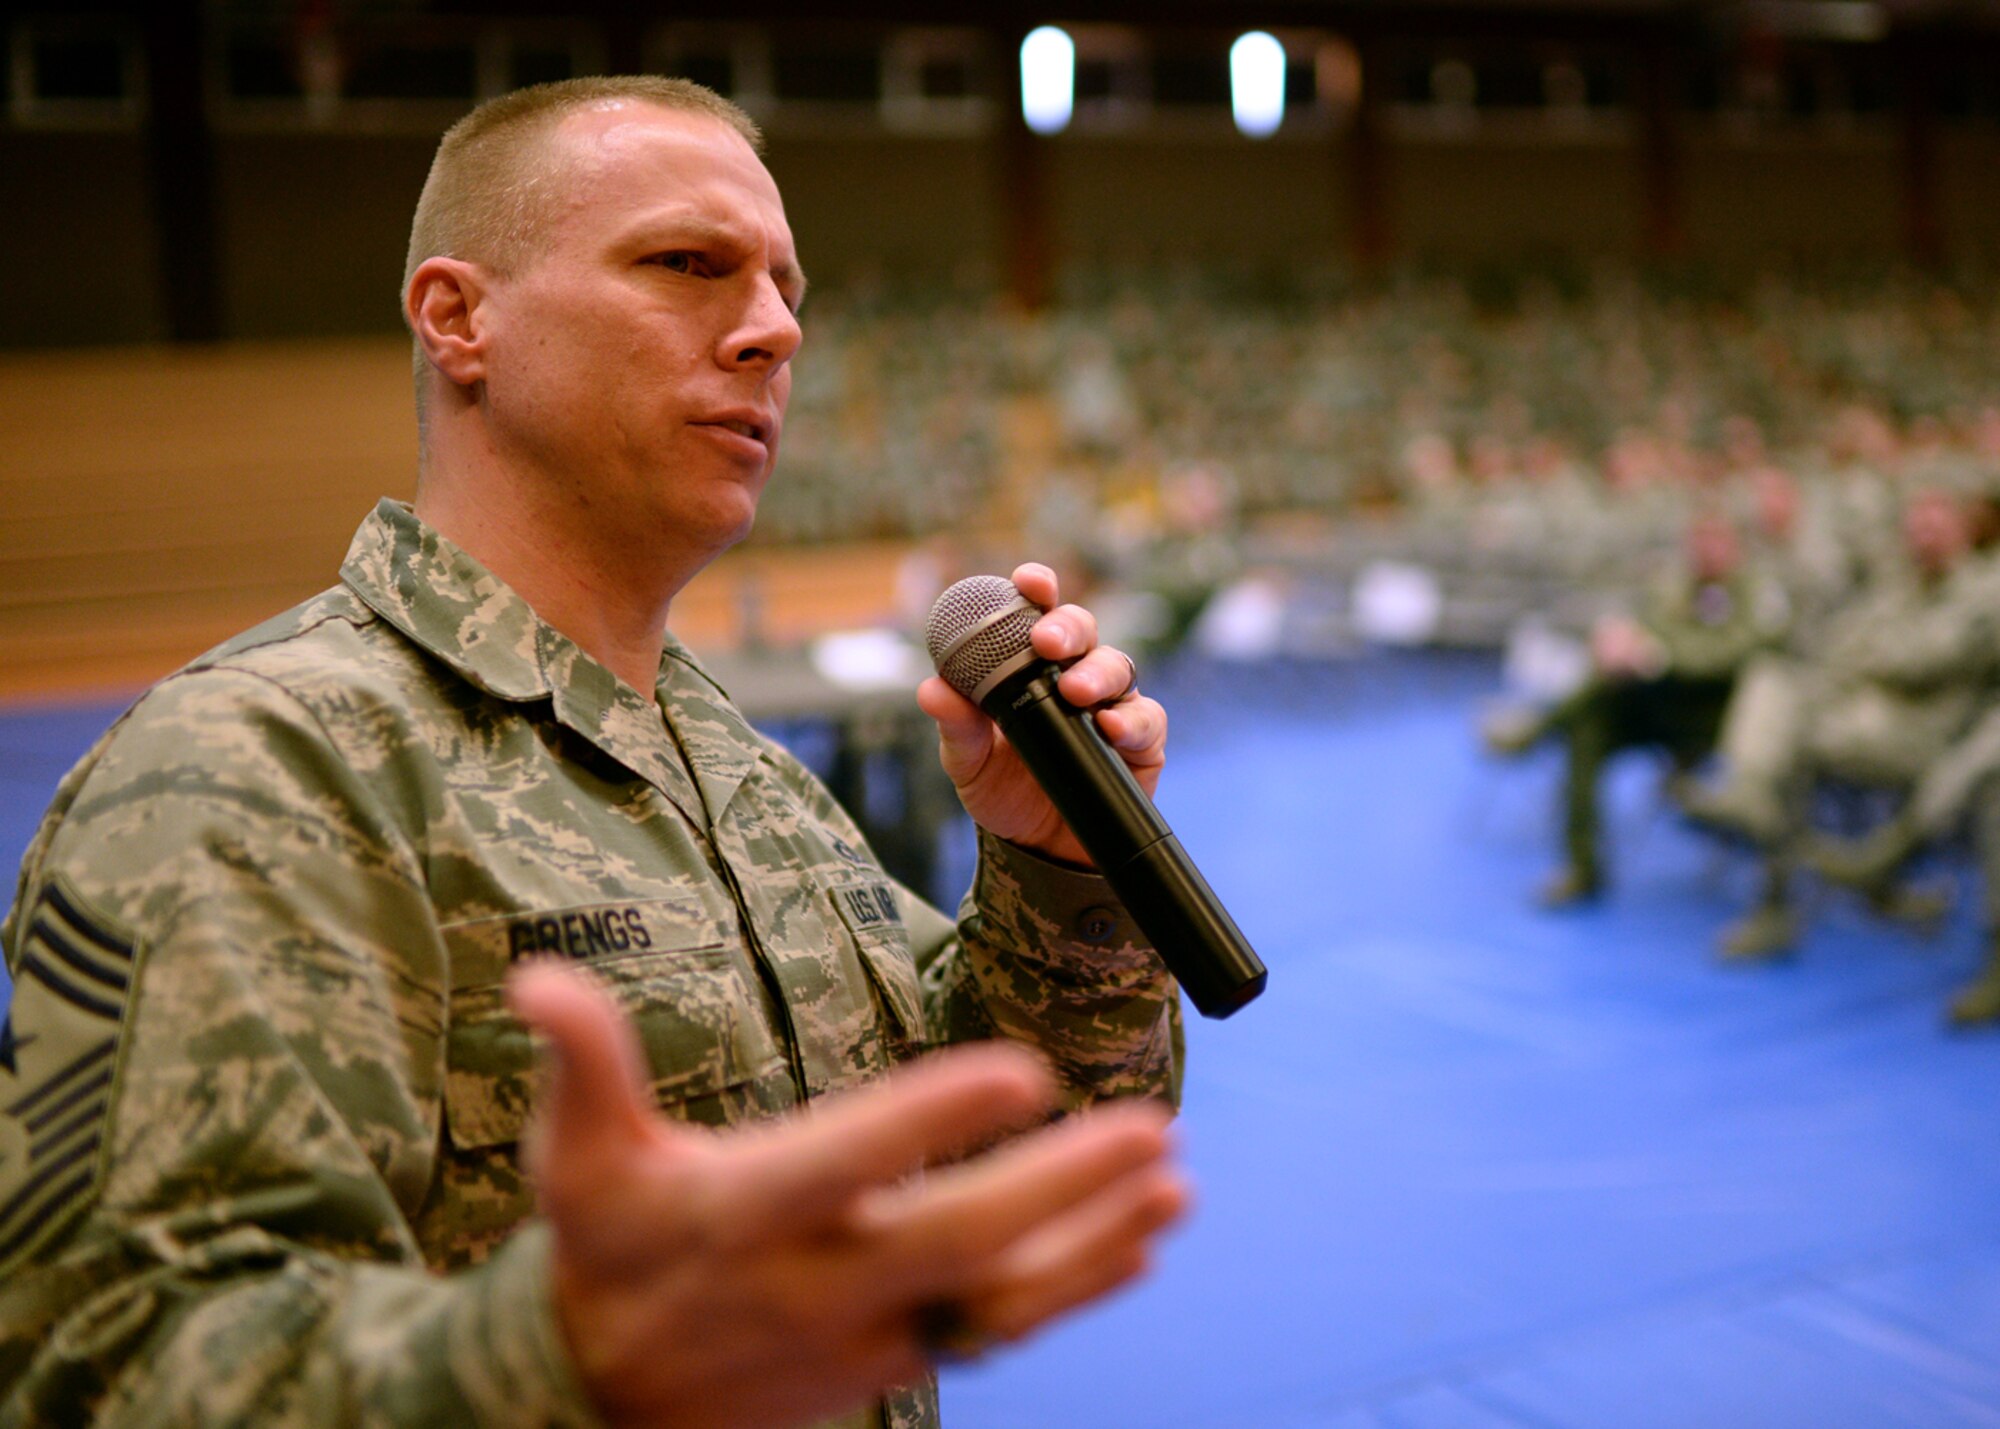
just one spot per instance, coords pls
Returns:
(313, 227)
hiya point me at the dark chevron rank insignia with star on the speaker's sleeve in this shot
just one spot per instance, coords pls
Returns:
(59, 1048)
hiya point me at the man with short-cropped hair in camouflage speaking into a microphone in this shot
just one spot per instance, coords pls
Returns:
(267, 1150)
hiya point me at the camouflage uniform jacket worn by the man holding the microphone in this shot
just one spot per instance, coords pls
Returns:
(261, 1090)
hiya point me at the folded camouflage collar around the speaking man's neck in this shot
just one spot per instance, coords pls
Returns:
(467, 617)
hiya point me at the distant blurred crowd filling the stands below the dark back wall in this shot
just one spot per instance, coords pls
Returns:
(921, 405)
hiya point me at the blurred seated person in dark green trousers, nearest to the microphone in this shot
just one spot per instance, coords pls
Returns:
(1657, 681)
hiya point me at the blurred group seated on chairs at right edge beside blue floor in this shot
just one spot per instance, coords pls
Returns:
(1821, 669)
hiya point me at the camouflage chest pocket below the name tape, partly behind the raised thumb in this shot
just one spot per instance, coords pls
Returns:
(697, 1012)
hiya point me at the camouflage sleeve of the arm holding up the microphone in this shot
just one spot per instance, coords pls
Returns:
(1045, 956)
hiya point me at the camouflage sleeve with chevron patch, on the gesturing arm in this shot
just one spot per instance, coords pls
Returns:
(261, 964)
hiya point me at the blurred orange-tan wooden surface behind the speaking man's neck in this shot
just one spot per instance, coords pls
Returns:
(163, 499)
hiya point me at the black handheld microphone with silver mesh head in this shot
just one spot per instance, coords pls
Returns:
(979, 641)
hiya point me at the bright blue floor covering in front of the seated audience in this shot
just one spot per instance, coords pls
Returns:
(1471, 1164)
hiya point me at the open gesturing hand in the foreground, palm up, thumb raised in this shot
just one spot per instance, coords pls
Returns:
(781, 1274)
